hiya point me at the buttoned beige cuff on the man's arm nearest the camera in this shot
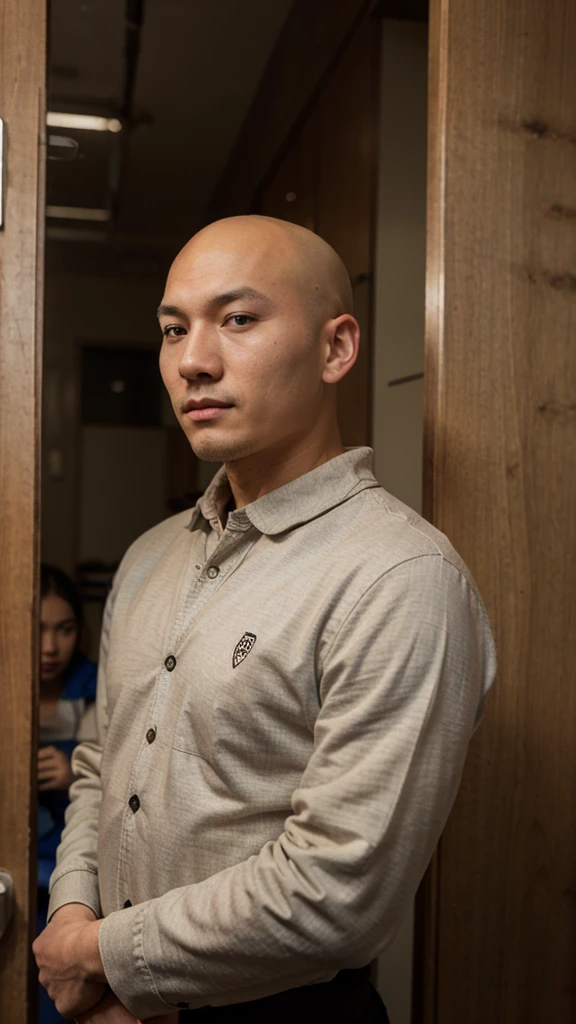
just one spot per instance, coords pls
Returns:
(121, 947)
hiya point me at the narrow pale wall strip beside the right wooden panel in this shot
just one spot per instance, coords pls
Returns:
(399, 336)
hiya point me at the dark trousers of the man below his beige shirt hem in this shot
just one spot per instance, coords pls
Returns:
(349, 999)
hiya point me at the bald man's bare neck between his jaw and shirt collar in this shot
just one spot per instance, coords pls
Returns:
(255, 477)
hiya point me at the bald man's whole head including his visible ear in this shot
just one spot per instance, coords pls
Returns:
(257, 318)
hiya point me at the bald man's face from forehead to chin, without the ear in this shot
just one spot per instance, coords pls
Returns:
(241, 358)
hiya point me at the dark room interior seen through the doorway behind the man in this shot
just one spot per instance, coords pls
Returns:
(139, 160)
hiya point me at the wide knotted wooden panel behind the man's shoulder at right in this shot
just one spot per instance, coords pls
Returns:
(501, 481)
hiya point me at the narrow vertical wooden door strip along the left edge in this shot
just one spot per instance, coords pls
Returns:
(23, 64)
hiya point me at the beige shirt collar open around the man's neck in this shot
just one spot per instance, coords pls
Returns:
(296, 503)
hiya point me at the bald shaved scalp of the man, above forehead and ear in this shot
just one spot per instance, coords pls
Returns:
(316, 269)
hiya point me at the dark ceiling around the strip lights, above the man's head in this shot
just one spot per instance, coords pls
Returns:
(199, 67)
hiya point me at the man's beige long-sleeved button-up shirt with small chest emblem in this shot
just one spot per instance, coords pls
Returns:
(284, 709)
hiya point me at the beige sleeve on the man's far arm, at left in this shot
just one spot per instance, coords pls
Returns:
(75, 879)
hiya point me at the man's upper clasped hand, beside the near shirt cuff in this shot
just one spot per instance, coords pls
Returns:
(69, 960)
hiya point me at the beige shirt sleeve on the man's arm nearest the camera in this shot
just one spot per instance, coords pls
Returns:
(402, 689)
